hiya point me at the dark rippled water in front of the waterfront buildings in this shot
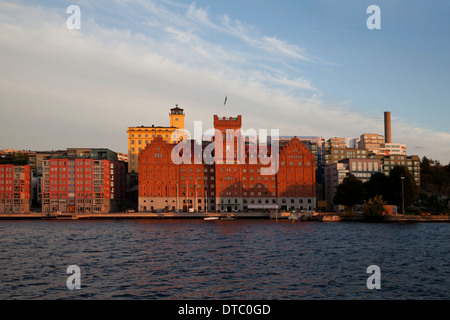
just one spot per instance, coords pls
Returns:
(195, 259)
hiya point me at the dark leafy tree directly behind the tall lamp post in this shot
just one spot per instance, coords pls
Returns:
(411, 190)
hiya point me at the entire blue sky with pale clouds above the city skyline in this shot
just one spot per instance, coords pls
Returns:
(307, 68)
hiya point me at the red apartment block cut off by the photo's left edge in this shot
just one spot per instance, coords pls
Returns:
(15, 188)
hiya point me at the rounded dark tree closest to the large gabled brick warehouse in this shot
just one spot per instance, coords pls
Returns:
(350, 192)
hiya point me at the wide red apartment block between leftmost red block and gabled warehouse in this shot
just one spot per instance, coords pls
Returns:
(82, 185)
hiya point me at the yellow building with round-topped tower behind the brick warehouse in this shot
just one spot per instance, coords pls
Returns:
(139, 137)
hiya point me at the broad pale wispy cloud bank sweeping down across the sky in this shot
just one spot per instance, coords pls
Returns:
(71, 88)
